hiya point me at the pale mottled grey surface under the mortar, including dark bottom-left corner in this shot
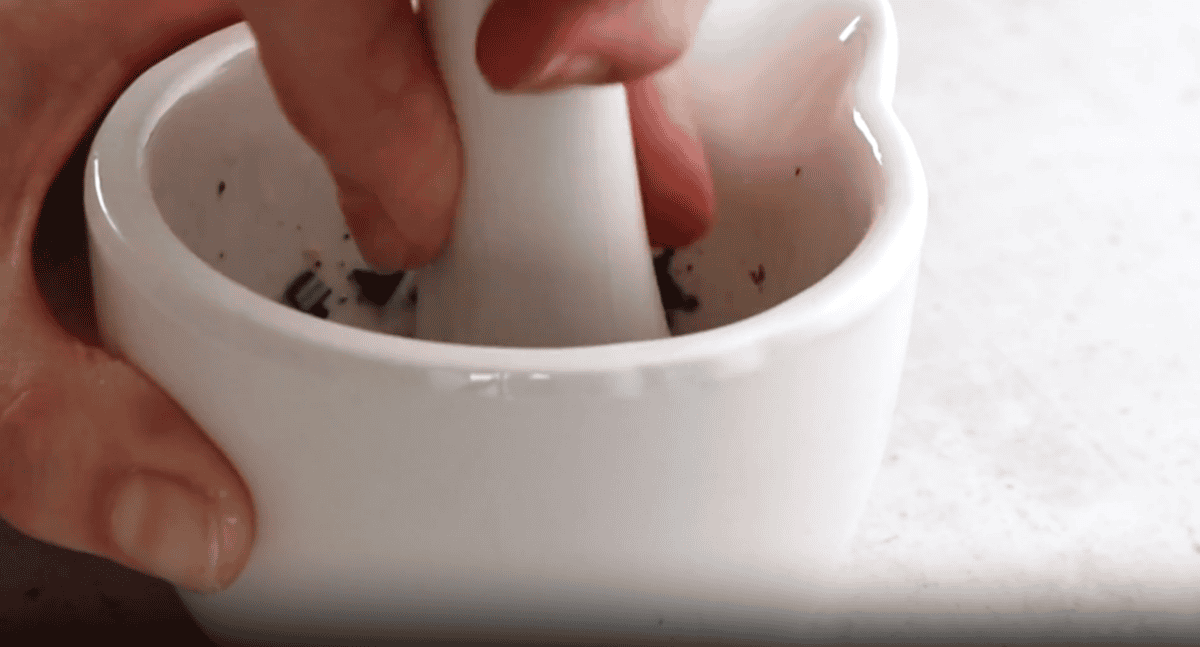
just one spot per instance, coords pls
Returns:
(1046, 457)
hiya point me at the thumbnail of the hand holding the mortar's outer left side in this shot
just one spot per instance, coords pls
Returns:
(178, 535)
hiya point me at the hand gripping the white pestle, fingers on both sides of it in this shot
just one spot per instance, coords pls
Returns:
(358, 80)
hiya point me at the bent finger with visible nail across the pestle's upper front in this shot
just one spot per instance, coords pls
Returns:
(543, 45)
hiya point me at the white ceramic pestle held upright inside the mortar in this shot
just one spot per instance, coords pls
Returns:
(550, 245)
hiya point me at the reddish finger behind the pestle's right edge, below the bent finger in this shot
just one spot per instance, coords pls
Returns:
(677, 184)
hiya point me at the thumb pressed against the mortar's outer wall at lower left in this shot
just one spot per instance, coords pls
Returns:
(98, 459)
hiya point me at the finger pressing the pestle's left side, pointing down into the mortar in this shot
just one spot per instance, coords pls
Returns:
(358, 81)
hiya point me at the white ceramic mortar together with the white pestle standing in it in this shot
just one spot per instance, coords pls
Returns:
(440, 453)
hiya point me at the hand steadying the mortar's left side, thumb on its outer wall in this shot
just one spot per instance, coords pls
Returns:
(93, 456)
